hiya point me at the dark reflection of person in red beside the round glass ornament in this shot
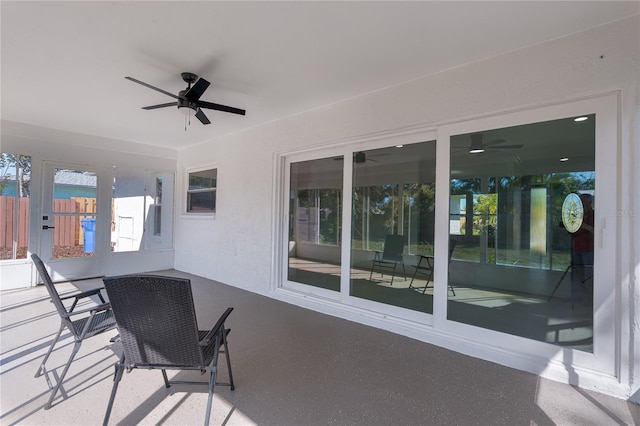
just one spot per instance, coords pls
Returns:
(582, 253)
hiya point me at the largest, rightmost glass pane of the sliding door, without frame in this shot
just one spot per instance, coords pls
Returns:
(522, 215)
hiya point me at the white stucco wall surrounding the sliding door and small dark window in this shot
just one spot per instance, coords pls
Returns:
(236, 246)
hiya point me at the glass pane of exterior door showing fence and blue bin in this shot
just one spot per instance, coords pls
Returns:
(74, 213)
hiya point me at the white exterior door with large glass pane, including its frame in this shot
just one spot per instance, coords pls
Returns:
(73, 224)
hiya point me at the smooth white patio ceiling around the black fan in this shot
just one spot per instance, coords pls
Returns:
(64, 63)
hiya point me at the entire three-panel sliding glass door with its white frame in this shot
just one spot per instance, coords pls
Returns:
(500, 230)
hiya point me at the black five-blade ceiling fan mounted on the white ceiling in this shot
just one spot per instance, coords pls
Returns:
(188, 100)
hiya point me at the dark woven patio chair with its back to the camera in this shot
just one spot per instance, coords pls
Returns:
(158, 329)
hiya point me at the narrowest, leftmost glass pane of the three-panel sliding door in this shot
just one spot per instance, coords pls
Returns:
(315, 212)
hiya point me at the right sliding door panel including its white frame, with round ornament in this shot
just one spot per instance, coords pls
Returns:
(529, 200)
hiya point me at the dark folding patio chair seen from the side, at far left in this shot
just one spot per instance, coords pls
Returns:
(88, 322)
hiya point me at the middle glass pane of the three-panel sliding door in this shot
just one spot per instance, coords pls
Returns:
(393, 226)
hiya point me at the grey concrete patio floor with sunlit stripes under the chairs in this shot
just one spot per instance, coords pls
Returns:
(291, 366)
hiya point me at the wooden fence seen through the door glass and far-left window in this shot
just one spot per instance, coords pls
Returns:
(67, 231)
